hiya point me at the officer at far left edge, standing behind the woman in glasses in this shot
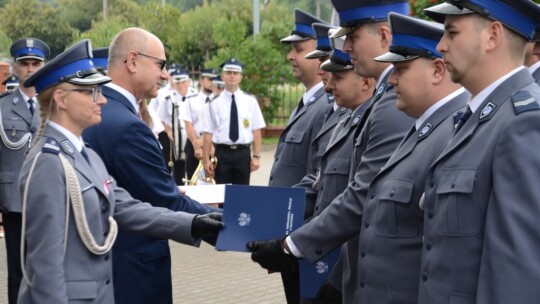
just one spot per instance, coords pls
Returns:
(20, 118)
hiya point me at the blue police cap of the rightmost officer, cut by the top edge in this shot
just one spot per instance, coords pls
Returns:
(520, 16)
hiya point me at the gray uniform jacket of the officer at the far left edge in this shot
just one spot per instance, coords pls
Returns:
(16, 121)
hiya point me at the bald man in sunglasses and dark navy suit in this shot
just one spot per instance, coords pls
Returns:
(141, 265)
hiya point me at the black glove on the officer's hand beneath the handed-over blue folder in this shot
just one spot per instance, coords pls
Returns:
(270, 255)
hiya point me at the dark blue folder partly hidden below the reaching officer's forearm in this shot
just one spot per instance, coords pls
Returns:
(312, 276)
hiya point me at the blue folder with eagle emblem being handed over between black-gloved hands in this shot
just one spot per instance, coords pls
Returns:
(254, 213)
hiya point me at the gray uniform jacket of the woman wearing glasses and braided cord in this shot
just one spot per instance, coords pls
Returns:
(77, 275)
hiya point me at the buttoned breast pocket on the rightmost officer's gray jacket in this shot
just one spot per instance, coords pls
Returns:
(457, 213)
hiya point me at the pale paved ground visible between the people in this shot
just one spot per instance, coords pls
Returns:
(203, 275)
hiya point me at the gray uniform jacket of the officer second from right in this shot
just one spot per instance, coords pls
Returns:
(391, 239)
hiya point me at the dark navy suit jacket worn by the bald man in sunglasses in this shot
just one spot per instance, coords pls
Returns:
(133, 157)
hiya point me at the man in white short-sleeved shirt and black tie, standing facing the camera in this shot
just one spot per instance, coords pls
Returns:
(233, 122)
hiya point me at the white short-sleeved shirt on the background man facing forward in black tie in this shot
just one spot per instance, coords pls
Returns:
(217, 118)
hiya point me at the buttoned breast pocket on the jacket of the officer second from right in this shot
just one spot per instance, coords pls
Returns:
(395, 215)
